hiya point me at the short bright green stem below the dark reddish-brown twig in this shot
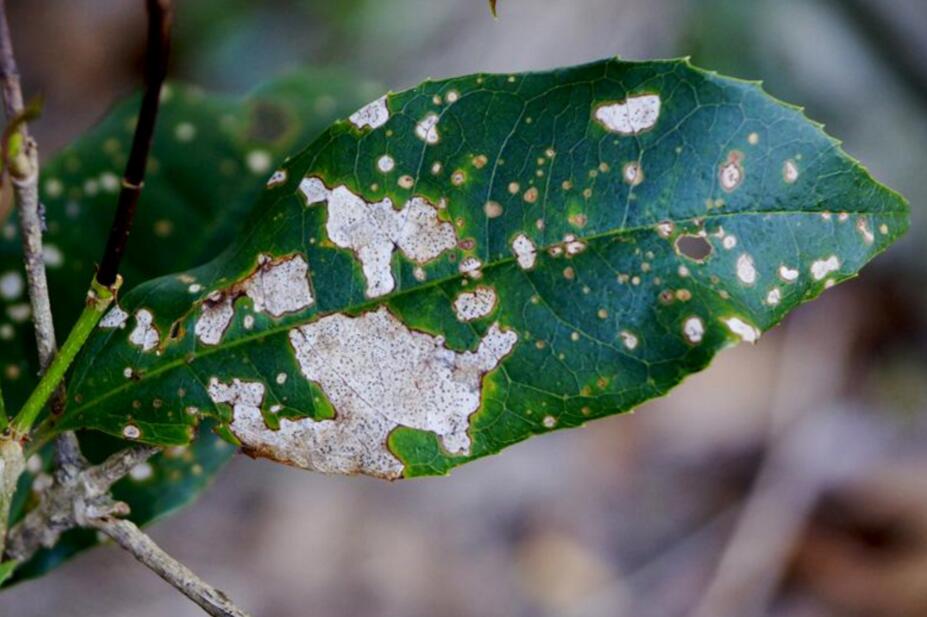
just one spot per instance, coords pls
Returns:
(98, 300)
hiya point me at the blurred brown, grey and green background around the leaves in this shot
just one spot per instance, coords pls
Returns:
(788, 480)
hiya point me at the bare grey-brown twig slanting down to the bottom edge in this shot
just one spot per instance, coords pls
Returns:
(143, 548)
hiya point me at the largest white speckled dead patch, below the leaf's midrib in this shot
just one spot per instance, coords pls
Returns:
(379, 375)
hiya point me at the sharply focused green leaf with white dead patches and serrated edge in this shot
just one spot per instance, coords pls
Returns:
(474, 261)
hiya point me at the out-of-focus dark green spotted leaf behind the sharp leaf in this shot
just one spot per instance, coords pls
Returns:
(209, 158)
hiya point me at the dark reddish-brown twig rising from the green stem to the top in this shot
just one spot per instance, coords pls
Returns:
(160, 16)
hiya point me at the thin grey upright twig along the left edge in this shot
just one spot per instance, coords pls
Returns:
(25, 179)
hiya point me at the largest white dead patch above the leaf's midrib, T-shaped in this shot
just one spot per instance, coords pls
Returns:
(374, 230)
